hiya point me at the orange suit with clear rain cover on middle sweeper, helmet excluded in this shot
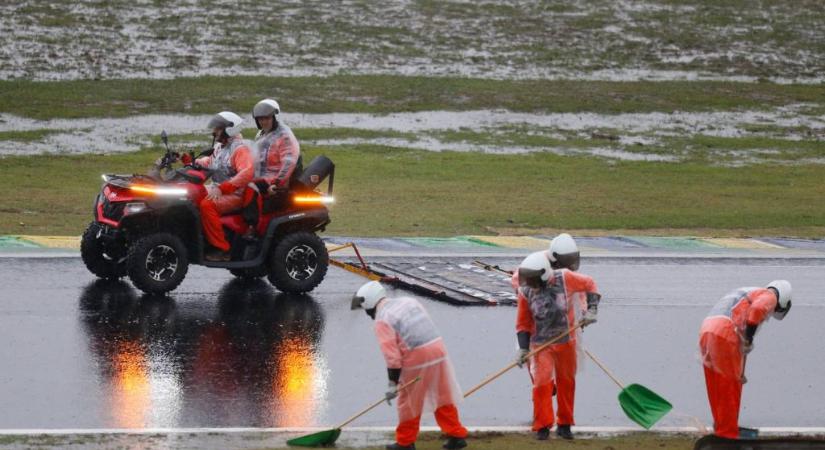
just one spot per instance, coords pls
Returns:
(546, 313)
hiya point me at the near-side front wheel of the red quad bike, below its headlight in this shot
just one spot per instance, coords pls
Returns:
(157, 263)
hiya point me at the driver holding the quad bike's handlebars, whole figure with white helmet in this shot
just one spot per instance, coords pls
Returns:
(233, 167)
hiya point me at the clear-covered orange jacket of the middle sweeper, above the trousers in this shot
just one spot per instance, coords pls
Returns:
(554, 308)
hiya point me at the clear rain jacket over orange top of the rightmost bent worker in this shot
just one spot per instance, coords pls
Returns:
(722, 334)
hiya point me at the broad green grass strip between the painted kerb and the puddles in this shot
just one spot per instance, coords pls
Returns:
(418, 193)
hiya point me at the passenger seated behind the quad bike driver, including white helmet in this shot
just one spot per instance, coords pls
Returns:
(279, 154)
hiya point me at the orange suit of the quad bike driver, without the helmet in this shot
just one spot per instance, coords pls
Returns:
(234, 168)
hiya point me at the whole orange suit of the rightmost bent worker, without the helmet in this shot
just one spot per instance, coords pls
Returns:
(721, 340)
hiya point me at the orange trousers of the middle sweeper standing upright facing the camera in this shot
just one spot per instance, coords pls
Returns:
(555, 365)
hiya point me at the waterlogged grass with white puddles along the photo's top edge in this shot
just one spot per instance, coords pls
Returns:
(589, 40)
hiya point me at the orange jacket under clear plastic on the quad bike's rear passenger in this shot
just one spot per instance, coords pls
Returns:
(278, 153)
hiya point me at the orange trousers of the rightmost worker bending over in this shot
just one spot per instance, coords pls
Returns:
(723, 379)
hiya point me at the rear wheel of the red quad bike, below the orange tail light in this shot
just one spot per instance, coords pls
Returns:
(298, 263)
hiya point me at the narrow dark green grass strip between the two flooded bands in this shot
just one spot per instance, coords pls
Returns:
(386, 94)
